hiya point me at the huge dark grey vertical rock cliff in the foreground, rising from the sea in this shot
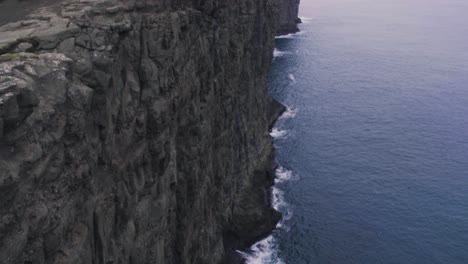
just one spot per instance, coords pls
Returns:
(136, 131)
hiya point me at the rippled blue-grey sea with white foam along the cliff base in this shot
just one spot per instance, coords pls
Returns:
(374, 147)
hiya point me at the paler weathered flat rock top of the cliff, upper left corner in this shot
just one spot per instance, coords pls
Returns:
(42, 26)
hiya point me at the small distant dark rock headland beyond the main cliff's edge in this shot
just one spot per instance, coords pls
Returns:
(288, 17)
